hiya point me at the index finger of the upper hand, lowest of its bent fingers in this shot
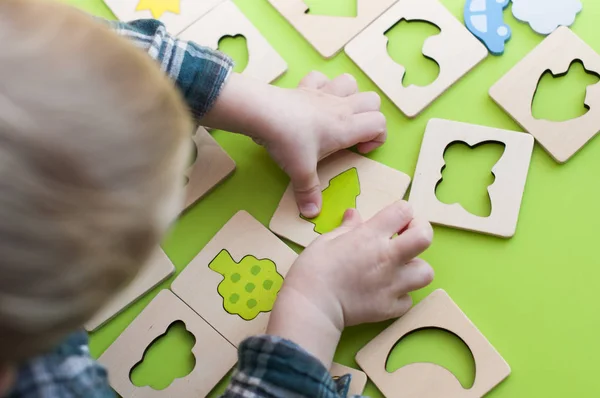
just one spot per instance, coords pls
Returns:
(366, 128)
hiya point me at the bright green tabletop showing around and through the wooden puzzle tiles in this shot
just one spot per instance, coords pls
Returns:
(534, 296)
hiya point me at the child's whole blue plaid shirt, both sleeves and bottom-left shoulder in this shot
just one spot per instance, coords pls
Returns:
(268, 366)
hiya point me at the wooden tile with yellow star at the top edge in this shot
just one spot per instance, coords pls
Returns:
(175, 14)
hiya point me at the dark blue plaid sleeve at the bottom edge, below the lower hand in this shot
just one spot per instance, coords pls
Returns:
(269, 366)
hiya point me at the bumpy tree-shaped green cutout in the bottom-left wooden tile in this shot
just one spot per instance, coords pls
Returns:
(168, 358)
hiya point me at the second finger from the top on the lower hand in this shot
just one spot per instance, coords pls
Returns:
(413, 241)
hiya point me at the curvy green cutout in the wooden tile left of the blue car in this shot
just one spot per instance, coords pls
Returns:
(405, 47)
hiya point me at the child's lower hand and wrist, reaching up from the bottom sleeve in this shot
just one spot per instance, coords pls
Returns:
(359, 273)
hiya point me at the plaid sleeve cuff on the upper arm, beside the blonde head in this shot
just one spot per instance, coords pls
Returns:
(198, 71)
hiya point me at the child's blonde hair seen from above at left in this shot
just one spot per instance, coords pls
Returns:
(91, 141)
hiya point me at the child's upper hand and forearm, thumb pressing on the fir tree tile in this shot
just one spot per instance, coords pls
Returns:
(301, 126)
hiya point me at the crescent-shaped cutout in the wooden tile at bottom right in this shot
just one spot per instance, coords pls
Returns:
(438, 346)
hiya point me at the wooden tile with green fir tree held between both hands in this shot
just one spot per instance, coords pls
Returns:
(379, 187)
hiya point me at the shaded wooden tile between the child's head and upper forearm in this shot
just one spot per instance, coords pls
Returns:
(211, 167)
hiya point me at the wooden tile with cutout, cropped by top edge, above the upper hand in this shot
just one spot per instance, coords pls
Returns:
(329, 34)
